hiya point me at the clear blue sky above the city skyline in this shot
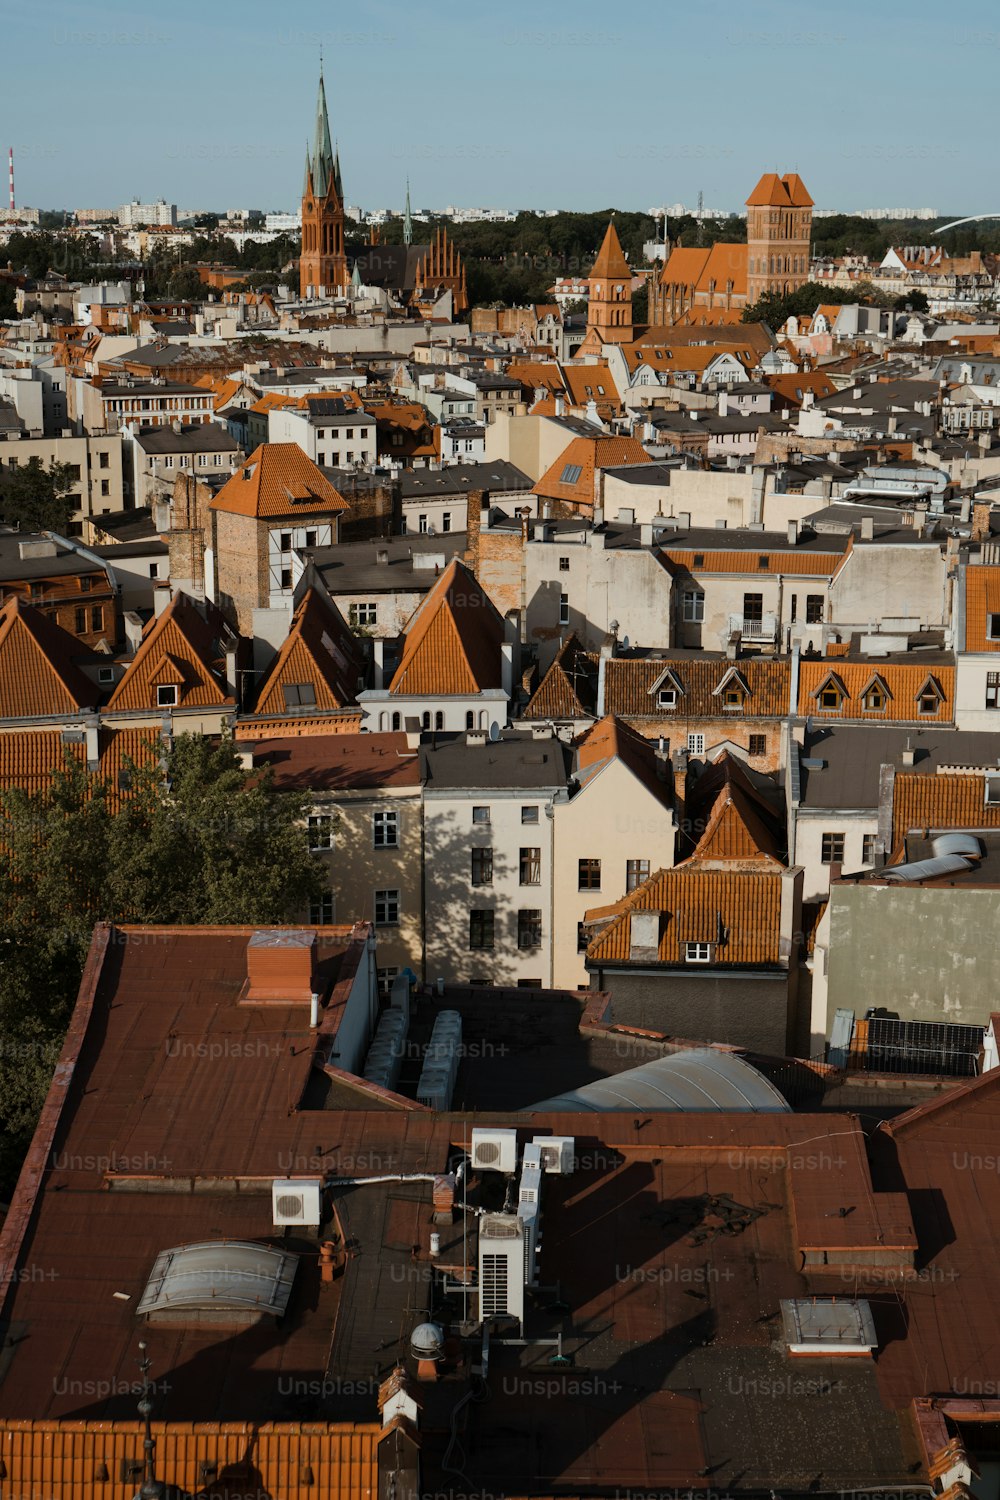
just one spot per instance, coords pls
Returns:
(515, 104)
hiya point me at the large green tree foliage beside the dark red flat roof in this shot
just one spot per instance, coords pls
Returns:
(196, 841)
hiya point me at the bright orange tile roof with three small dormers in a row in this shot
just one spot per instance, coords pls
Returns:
(900, 683)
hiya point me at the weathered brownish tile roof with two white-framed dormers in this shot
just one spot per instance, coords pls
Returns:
(630, 688)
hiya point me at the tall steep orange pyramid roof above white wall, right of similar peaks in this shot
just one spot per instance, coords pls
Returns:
(454, 640)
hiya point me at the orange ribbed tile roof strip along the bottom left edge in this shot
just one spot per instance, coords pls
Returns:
(67, 1460)
